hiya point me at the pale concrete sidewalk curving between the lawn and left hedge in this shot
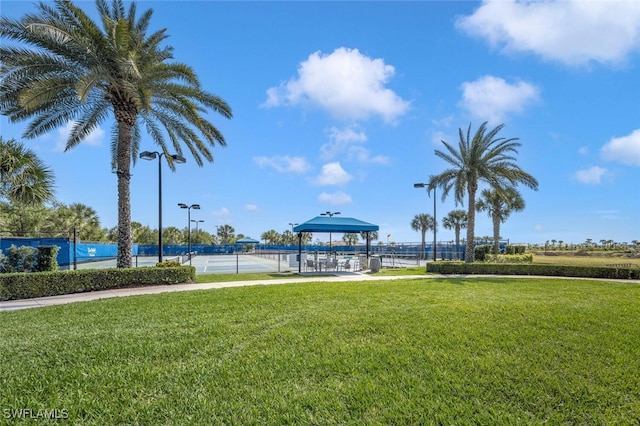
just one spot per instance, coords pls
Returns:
(12, 305)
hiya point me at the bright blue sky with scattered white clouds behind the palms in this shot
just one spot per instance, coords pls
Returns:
(339, 106)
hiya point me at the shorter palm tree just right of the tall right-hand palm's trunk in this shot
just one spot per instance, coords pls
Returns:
(499, 206)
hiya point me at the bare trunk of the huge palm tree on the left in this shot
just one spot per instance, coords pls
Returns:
(124, 195)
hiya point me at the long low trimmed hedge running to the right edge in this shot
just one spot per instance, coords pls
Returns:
(605, 272)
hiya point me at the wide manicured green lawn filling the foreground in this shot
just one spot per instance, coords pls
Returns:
(426, 351)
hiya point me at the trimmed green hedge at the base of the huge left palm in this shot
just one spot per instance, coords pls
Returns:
(40, 284)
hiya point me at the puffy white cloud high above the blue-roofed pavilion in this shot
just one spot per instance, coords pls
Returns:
(346, 84)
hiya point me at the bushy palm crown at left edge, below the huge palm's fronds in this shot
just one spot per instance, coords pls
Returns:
(24, 179)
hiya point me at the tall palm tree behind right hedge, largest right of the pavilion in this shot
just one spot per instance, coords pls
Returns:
(481, 158)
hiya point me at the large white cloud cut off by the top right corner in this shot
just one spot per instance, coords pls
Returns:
(574, 32)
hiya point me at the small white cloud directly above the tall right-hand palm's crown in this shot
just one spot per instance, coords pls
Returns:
(491, 98)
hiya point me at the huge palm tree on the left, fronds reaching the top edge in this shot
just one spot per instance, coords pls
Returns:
(77, 72)
